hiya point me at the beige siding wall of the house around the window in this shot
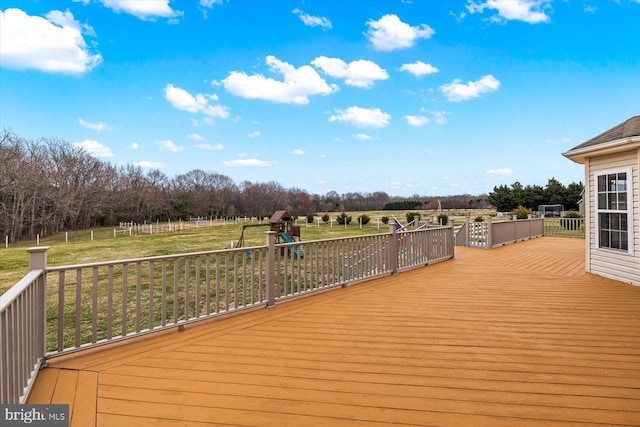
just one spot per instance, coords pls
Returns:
(608, 263)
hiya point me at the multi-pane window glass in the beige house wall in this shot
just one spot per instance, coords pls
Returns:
(614, 202)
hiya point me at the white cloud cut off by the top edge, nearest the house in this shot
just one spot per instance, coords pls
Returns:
(530, 11)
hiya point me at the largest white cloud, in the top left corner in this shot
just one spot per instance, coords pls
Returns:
(53, 44)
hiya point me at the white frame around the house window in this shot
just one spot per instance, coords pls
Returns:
(605, 210)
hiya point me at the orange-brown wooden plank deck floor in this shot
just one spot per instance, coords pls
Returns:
(515, 336)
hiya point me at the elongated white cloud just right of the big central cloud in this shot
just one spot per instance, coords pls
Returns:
(360, 73)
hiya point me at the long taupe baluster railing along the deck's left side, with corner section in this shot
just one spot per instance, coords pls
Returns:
(92, 304)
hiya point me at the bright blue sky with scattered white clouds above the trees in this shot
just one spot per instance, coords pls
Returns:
(408, 97)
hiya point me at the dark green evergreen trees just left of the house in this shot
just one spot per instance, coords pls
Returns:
(507, 198)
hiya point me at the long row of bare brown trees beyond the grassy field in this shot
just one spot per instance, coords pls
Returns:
(48, 186)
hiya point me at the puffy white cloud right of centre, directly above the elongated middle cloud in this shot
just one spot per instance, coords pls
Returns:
(390, 33)
